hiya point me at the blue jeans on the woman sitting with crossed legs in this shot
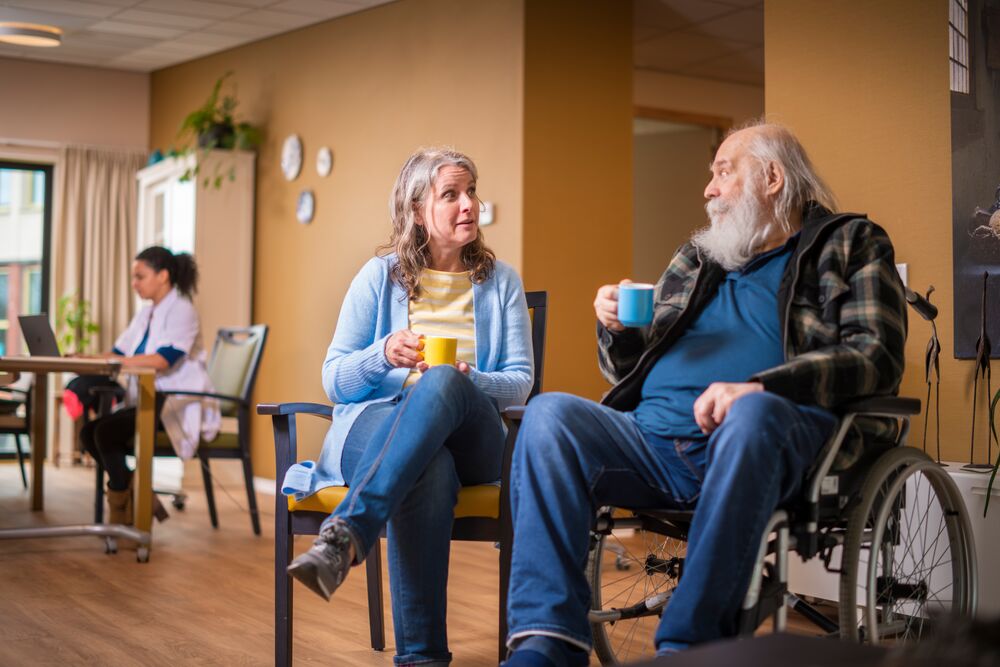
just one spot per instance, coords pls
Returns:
(405, 461)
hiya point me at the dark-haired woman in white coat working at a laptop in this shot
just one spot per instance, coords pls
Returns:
(166, 336)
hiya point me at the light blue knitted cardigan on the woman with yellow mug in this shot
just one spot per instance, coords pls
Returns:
(356, 373)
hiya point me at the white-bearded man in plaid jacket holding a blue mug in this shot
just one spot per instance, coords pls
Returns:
(764, 323)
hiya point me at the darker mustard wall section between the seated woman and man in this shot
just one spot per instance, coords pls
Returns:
(577, 172)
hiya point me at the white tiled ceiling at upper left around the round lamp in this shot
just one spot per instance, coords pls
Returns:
(145, 35)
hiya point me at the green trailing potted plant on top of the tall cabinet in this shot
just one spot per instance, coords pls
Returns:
(212, 126)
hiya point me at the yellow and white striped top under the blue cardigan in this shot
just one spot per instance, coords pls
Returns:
(445, 308)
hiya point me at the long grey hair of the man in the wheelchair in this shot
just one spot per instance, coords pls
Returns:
(771, 142)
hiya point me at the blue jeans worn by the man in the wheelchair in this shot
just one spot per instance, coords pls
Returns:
(574, 456)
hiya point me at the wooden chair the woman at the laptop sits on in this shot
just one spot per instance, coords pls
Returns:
(233, 370)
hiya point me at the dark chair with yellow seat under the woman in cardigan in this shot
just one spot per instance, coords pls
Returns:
(482, 512)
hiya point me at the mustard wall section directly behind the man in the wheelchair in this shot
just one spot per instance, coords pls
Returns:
(865, 86)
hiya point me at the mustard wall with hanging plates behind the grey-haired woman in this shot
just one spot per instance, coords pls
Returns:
(373, 86)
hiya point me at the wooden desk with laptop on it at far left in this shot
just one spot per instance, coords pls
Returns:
(145, 425)
